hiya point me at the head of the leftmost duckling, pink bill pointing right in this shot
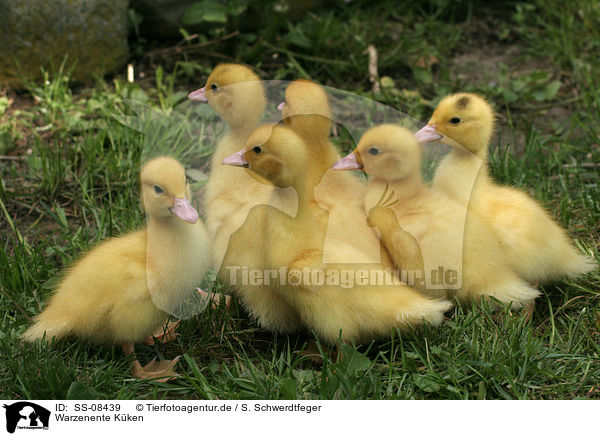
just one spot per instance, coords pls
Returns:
(165, 193)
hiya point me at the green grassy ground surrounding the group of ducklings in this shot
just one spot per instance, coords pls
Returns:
(69, 179)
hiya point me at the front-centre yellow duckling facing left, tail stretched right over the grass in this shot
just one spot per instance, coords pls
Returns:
(294, 245)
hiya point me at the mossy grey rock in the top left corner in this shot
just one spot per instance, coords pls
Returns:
(39, 33)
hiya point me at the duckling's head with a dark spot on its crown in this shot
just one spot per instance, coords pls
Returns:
(461, 120)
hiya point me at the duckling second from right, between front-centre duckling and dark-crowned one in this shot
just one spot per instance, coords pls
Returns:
(449, 244)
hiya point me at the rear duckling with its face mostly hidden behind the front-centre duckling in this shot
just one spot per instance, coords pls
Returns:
(307, 112)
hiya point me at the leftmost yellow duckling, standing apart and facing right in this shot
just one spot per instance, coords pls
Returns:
(125, 288)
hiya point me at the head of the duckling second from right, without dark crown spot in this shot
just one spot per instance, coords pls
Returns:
(389, 152)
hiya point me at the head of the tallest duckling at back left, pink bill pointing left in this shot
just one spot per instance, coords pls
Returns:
(235, 93)
